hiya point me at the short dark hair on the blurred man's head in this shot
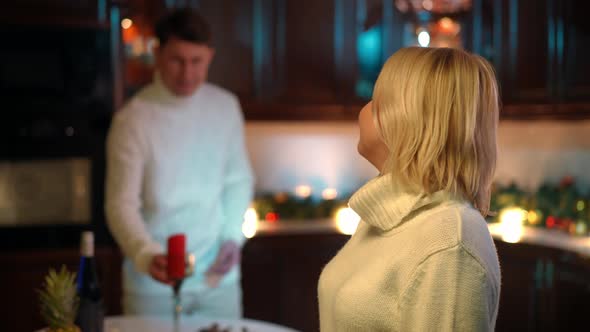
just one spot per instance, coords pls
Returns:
(185, 24)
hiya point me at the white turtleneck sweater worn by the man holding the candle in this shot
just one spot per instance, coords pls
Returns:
(176, 165)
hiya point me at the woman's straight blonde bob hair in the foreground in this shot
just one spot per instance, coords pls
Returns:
(437, 112)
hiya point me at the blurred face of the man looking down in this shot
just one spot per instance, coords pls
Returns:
(183, 65)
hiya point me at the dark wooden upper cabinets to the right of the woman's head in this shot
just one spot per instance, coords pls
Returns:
(537, 48)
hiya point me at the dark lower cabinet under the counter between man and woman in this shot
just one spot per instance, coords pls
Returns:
(280, 275)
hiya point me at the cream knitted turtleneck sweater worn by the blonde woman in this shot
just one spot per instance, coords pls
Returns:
(415, 263)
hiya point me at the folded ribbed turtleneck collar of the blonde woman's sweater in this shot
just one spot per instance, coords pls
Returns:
(382, 204)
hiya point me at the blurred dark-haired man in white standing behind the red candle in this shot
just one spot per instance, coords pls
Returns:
(177, 163)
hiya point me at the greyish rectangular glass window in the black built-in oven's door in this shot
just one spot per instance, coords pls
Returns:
(45, 192)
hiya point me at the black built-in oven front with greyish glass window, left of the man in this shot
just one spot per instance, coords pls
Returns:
(52, 170)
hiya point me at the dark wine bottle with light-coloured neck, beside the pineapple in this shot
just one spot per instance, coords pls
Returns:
(90, 316)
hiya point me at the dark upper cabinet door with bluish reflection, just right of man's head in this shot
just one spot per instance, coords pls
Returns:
(274, 51)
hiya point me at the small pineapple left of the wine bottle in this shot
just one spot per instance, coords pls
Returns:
(59, 301)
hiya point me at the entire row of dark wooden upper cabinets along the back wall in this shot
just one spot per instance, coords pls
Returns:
(318, 60)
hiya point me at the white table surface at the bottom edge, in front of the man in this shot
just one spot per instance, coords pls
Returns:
(187, 324)
